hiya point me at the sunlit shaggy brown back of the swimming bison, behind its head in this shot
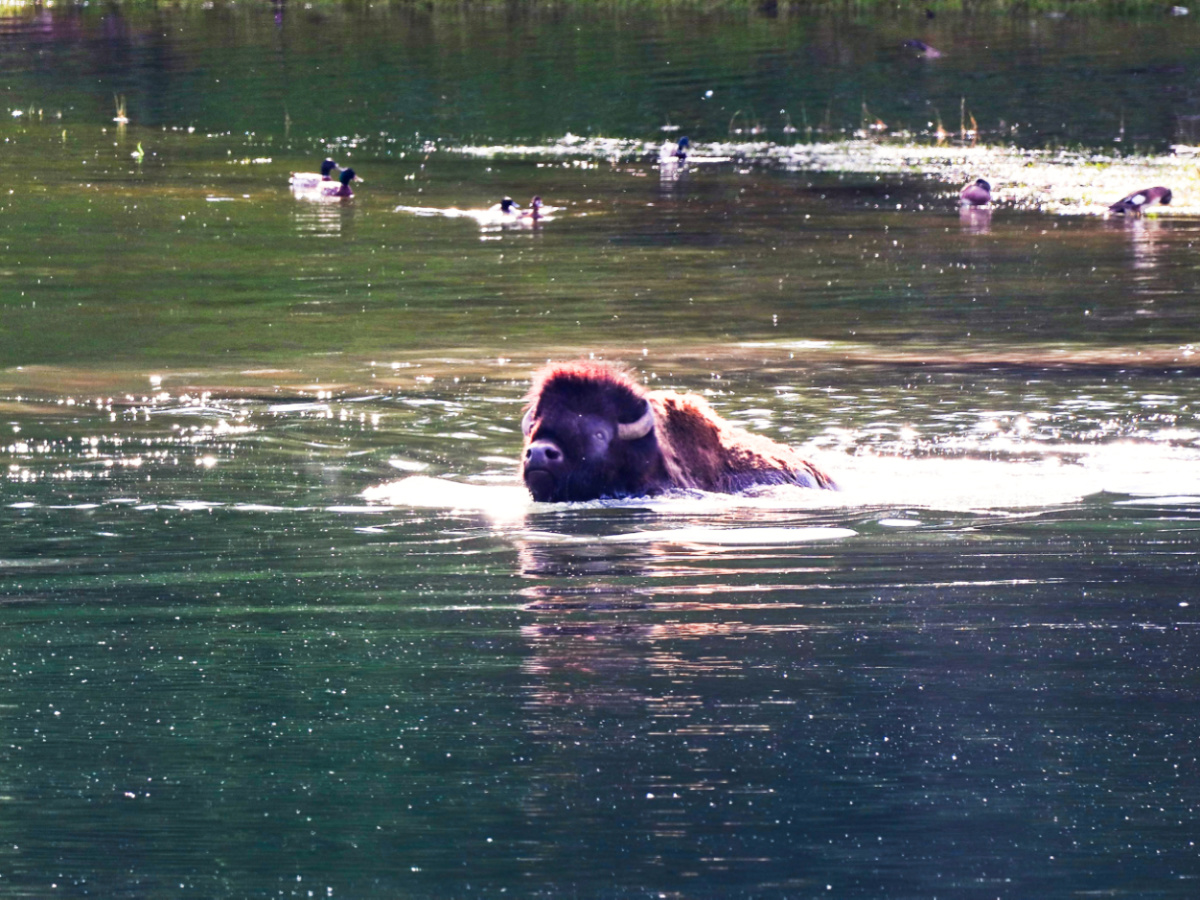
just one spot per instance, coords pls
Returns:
(704, 452)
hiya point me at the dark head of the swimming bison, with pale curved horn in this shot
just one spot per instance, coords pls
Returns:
(589, 434)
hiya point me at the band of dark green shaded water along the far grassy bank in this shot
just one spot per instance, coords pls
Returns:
(391, 75)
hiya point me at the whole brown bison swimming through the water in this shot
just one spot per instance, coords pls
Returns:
(592, 431)
